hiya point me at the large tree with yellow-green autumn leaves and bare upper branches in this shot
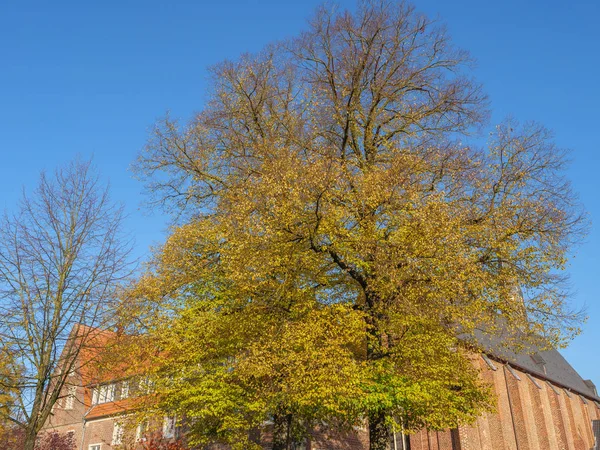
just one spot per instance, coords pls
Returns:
(335, 216)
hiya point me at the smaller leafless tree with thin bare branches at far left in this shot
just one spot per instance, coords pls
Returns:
(61, 256)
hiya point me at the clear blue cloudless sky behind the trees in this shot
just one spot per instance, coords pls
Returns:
(90, 78)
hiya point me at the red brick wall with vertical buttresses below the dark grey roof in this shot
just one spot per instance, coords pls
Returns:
(527, 417)
